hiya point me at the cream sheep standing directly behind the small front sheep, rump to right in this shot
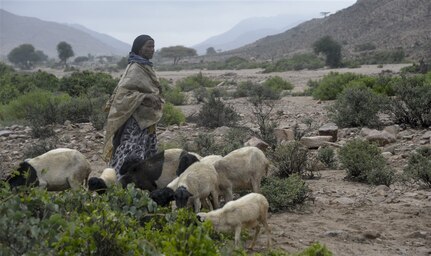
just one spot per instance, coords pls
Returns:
(242, 168)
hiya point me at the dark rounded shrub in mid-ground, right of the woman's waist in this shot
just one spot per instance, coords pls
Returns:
(215, 113)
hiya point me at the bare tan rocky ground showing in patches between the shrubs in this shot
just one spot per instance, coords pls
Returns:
(349, 218)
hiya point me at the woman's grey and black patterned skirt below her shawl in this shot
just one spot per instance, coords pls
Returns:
(131, 140)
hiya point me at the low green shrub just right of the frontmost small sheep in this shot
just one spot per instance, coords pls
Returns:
(285, 193)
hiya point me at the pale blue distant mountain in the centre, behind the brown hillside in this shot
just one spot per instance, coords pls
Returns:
(248, 31)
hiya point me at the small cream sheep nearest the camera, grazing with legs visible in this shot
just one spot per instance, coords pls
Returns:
(246, 212)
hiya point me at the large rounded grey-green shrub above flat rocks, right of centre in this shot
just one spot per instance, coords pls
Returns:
(356, 107)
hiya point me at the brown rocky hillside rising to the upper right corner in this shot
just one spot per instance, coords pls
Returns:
(383, 24)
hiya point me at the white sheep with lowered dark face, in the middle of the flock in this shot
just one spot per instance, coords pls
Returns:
(196, 184)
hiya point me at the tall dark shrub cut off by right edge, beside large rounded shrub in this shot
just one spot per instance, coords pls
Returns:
(412, 102)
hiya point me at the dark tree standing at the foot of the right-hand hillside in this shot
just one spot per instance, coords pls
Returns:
(331, 49)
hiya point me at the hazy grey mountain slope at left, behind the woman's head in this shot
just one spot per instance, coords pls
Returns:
(45, 35)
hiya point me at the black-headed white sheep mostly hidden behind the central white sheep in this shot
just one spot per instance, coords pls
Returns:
(165, 195)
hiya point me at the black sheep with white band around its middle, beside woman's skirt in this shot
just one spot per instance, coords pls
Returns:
(156, 171)
